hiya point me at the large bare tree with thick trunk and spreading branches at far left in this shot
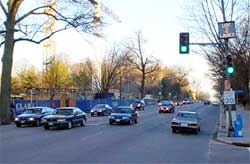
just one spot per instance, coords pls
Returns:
(23, 20)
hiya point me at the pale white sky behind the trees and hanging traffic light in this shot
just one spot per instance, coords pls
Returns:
(161, 21)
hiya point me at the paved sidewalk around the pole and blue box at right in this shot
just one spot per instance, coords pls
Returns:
(222, 131)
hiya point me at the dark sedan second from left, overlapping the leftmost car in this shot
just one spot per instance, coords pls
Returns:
(65, 117)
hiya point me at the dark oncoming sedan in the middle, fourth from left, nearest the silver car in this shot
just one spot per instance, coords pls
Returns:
(123, 115)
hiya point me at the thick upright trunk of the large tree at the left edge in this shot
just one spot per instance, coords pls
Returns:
(7, 61)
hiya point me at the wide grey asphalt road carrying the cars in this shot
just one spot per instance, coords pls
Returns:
(149, 141)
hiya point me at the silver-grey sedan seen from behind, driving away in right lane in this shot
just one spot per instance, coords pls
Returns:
(186, 120)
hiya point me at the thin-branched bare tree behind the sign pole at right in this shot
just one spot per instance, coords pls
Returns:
(205, 16)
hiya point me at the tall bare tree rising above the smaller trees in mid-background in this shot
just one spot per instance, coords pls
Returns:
(140, 60)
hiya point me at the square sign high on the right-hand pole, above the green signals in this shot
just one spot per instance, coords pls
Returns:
(227, 30)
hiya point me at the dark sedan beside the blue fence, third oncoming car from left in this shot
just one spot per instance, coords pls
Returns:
(101, 110)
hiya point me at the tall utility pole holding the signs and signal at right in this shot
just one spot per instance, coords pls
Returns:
(227, 79)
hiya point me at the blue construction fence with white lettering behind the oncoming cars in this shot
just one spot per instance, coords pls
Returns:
(85, 105)
